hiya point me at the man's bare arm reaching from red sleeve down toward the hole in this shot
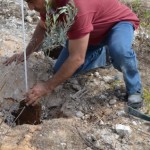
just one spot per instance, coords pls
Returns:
(77, 51)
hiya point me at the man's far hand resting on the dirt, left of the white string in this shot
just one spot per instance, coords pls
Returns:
(16, 57)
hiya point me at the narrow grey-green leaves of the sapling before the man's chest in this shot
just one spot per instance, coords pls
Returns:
(57, 28)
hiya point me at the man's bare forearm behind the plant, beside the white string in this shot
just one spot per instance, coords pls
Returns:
(36, 40)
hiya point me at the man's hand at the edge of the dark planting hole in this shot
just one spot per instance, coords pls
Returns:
(35, 94)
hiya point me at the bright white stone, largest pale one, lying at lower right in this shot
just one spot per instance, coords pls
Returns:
(123, 130)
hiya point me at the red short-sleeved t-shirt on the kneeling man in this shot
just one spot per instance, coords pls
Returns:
(97, 17)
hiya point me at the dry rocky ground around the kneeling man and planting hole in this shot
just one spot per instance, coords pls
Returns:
(87, 112)
